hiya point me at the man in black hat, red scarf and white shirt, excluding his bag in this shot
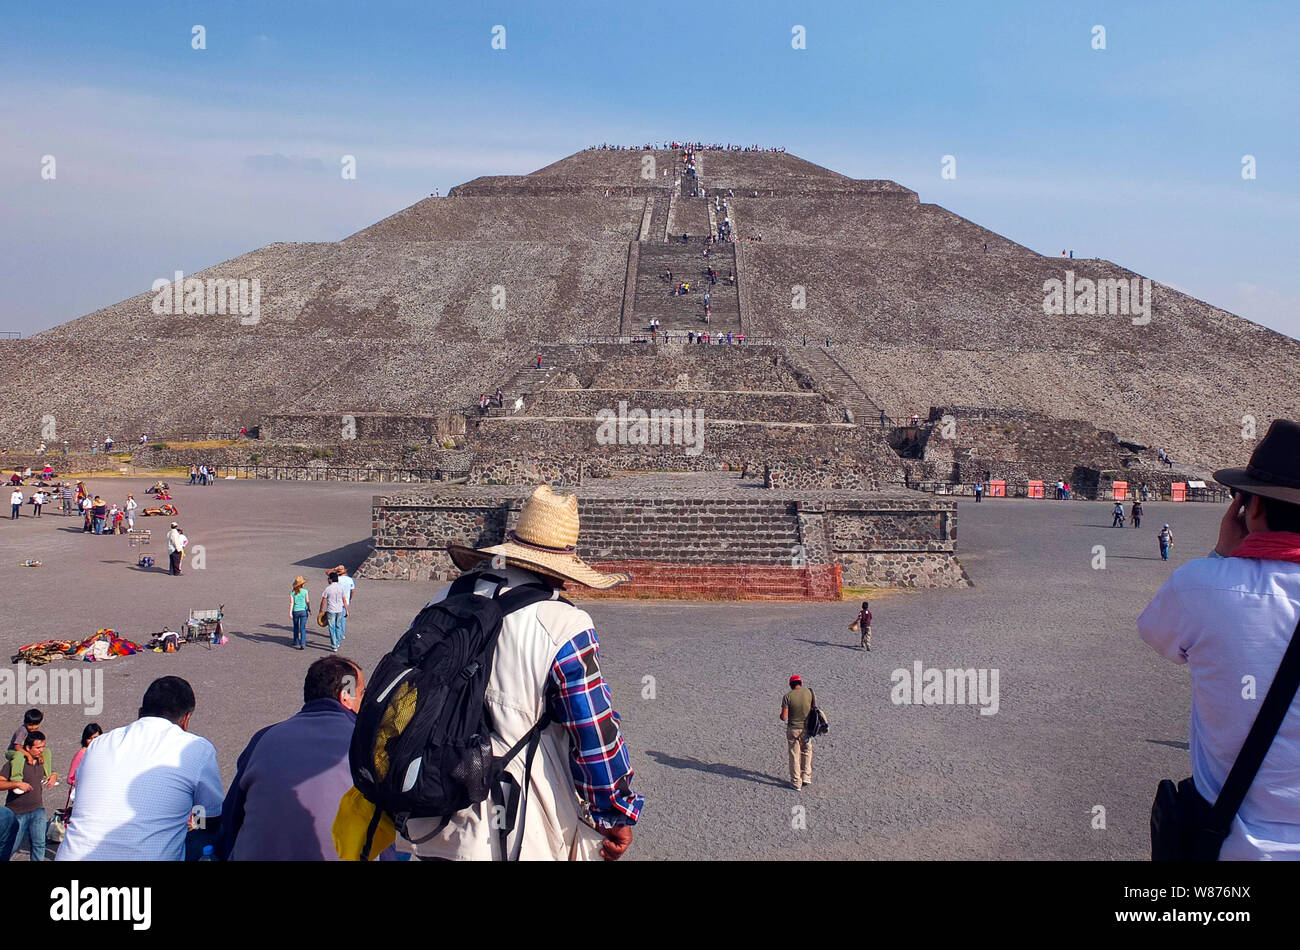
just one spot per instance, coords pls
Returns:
(1233, 615)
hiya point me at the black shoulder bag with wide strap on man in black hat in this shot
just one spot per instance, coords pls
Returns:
(1186, 827)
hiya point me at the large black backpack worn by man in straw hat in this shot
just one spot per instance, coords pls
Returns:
(422, 747)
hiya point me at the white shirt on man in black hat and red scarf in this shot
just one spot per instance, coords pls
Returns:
(1228, 619)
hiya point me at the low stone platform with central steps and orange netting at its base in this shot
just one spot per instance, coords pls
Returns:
(712, 530)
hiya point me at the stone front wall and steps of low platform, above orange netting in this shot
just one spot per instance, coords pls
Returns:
(879, 541)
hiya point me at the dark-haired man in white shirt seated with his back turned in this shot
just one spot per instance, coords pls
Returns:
(138, 786)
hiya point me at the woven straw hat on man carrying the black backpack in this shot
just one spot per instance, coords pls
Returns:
(545, 541)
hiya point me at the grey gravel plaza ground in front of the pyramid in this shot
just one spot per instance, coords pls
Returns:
(1087, 714)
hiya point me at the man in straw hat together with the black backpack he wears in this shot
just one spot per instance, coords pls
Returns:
(512, 661)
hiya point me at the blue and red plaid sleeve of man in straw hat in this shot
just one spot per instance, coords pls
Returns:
(599, 761)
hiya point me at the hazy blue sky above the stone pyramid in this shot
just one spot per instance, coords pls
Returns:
(170, 158)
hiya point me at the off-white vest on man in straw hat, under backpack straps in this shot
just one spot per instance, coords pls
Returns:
(557, 826)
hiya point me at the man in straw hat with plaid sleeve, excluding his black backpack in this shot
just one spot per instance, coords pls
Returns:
(580, 802)
